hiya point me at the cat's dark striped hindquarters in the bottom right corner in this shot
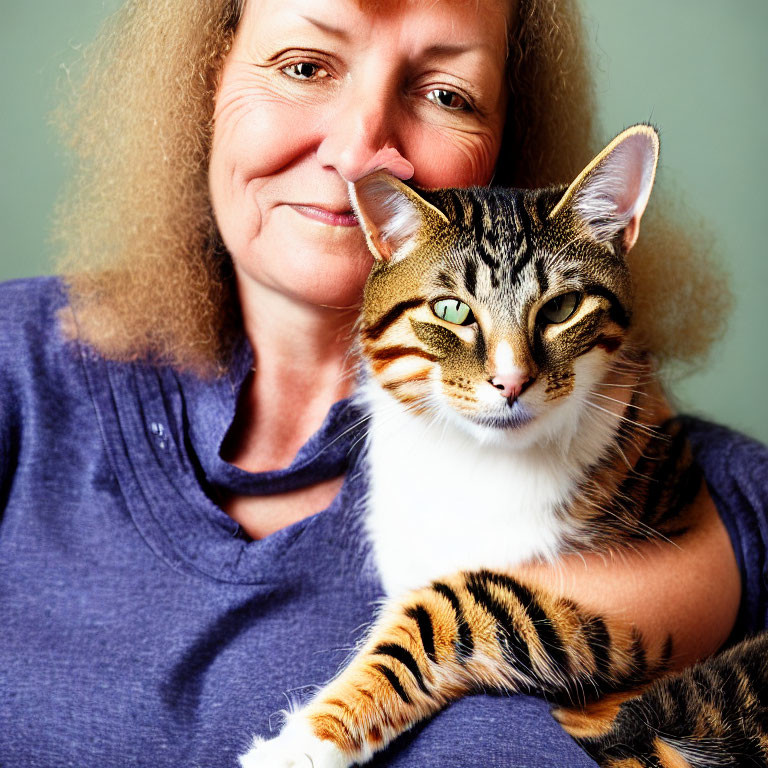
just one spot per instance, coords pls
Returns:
(712, 714)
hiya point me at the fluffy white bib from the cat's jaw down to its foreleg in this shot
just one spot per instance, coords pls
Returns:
(447, 494)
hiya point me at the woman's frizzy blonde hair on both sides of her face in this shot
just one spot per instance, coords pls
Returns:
(147, 272)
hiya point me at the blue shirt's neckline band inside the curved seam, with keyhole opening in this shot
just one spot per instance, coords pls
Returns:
(163, 431)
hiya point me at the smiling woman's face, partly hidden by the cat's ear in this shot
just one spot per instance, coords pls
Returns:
(315, 93)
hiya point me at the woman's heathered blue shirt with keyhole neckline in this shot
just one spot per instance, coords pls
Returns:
(139, 627)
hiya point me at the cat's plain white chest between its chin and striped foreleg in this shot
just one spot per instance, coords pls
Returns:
(440, 501)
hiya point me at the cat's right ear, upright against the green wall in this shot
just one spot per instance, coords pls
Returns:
(610, 195)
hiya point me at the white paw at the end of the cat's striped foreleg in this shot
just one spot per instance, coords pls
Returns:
(295, 747)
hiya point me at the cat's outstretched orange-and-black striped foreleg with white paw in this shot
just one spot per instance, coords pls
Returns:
(473, 631)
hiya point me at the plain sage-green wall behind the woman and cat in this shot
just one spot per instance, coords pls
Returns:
(695, 68)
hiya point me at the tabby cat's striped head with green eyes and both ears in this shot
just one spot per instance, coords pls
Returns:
(505, 308)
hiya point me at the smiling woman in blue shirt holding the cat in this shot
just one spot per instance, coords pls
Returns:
(172, 423)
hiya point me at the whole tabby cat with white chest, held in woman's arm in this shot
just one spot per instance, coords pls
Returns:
(514, 417)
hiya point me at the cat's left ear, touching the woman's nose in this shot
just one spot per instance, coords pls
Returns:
(391, 214)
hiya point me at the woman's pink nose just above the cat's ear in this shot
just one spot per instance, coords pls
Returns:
(361, 138)
